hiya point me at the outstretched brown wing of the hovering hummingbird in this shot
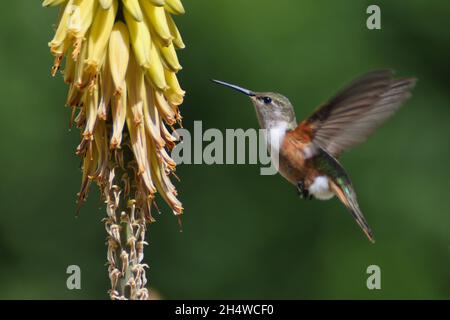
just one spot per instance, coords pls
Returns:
(354, 113)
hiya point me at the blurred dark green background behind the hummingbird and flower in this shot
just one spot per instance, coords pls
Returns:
(245, 235)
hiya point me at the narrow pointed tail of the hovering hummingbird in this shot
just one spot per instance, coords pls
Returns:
(348, 197)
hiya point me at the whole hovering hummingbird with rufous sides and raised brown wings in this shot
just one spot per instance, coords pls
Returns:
(308, 151)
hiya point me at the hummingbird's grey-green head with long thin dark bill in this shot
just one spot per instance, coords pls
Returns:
(271, 108)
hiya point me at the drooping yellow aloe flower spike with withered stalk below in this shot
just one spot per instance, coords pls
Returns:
(121, 65)
